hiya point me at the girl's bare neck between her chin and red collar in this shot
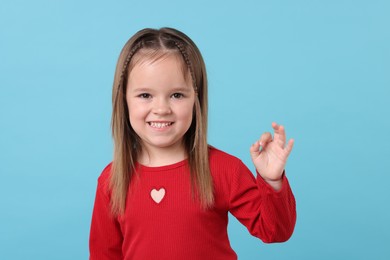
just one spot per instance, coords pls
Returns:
(162, 156)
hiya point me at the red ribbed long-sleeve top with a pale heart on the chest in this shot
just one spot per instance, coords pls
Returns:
(162, 221)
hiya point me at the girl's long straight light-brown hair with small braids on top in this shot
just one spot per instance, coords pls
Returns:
(127, 144)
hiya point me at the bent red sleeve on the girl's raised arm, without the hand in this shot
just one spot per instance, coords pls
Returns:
(267, 214)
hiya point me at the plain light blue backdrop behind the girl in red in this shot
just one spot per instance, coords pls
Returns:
(321, 68)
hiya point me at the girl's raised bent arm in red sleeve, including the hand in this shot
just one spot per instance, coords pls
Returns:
(266, 206)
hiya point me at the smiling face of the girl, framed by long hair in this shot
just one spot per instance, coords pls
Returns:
(160, 101)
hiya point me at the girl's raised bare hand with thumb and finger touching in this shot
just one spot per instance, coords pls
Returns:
(270, 155)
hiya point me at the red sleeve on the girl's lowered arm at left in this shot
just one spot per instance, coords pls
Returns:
(105, 241)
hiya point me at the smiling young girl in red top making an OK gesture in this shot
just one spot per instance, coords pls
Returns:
(167, 194)
